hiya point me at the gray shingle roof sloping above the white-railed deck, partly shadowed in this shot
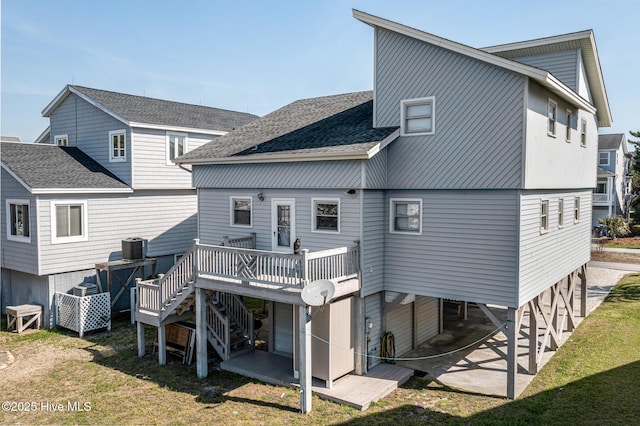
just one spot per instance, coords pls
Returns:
(339, 123)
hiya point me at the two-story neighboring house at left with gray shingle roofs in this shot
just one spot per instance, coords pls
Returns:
(106, 174)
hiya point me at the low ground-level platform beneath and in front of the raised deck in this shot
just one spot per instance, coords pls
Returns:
(352, 390)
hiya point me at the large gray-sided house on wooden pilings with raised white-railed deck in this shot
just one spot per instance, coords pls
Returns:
(466, 174)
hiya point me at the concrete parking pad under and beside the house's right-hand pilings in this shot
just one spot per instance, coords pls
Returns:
(482, 367)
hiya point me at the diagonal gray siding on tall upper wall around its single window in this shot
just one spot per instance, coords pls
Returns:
(479, 113)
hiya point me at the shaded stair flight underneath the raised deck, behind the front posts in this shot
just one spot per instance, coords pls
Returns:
(229, 325)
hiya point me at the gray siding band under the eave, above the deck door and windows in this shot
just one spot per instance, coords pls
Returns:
(320, 174)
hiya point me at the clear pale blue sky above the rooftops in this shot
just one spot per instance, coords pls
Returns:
(257, 56)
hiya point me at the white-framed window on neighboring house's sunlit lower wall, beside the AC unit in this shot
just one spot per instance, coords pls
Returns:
(69, 221)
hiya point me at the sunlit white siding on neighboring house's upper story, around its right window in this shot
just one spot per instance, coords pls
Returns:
(150, 155)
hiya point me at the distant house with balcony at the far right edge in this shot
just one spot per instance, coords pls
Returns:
(612, 196)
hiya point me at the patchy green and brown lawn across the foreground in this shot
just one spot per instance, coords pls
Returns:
(593, 379)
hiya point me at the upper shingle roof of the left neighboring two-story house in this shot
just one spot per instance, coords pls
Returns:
(141, 109)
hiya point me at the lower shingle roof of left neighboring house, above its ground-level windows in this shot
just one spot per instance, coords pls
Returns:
(56, 167)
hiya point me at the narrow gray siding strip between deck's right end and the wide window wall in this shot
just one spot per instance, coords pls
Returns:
(374, 229)
